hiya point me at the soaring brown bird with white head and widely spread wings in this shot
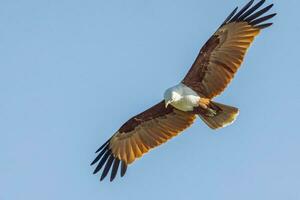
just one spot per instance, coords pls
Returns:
(214, 68)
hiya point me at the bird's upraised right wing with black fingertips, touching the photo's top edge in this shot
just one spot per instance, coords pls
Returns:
(223, 53)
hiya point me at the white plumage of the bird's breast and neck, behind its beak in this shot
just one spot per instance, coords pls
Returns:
(188, 98)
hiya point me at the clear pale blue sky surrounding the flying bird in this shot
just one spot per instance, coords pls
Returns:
(71, 72)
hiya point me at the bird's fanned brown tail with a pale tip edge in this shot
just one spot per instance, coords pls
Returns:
(219, 115)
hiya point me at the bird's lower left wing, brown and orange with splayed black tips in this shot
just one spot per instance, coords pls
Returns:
(138, 135)
